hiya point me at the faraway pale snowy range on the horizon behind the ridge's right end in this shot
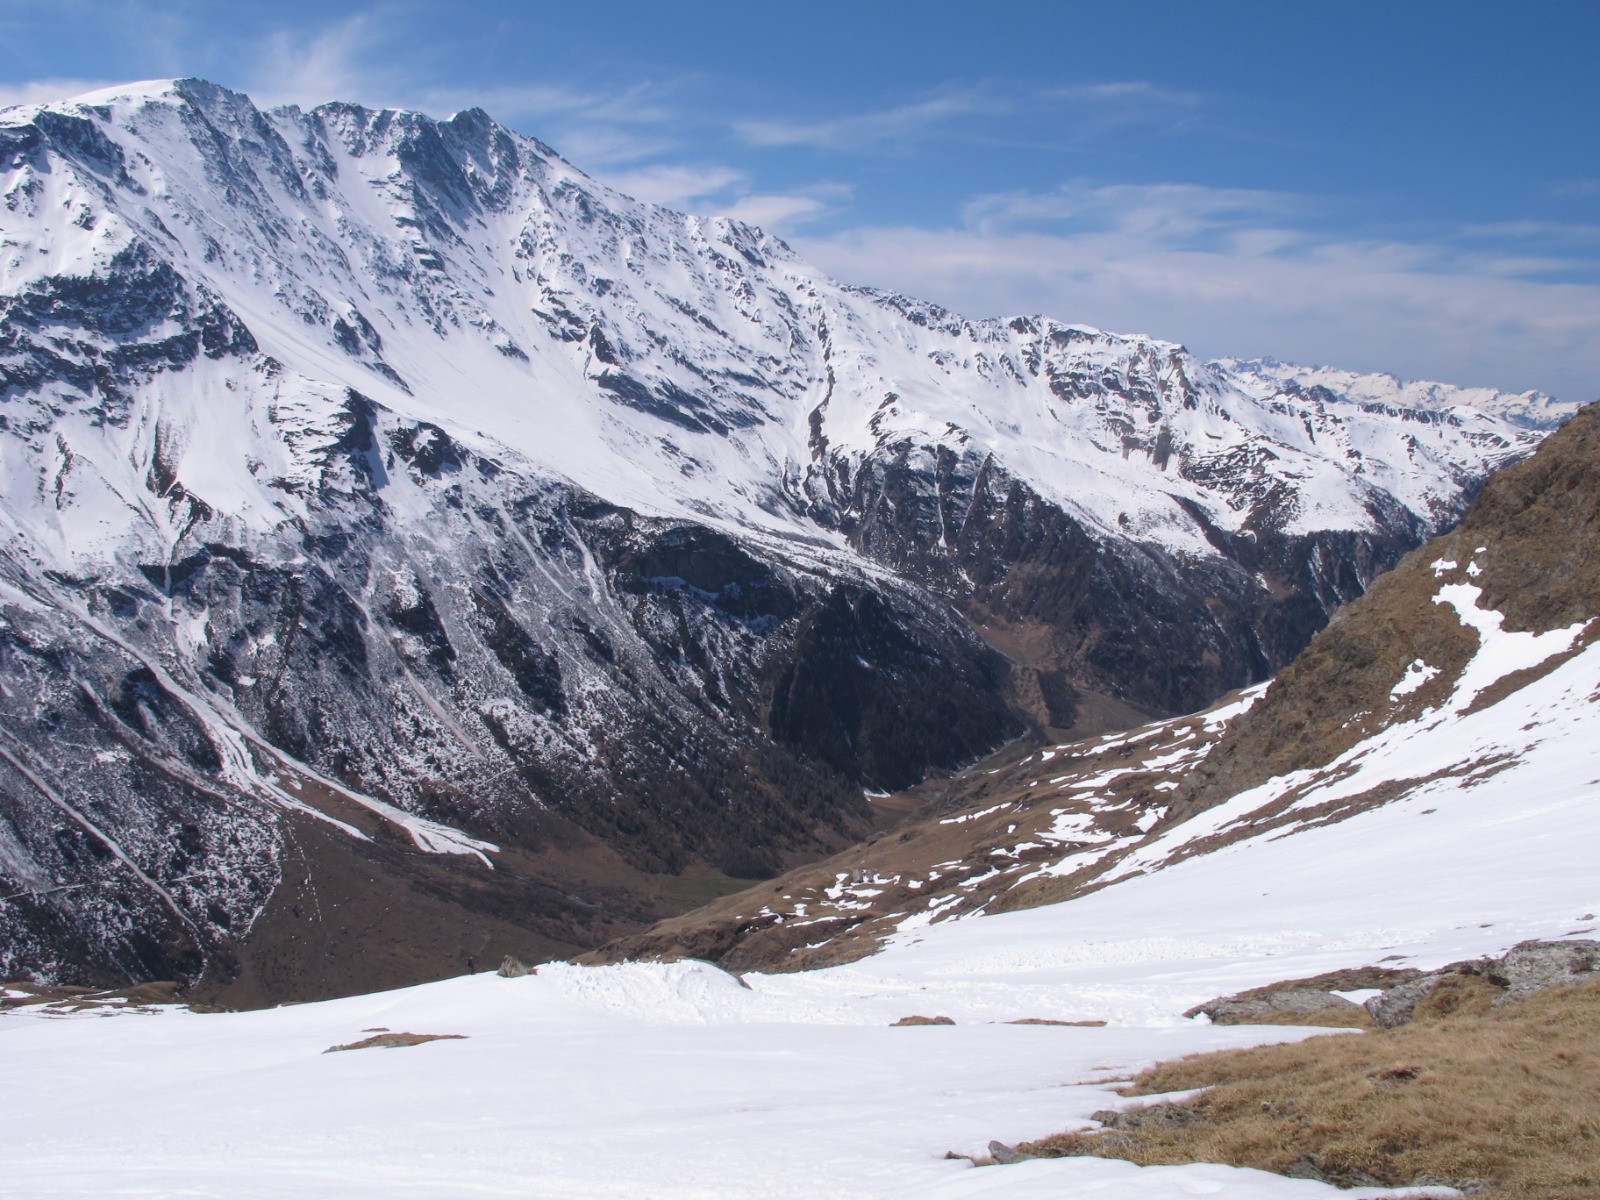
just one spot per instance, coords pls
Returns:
(1268, 377)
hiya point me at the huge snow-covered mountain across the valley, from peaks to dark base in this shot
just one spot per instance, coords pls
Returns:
(364, 474)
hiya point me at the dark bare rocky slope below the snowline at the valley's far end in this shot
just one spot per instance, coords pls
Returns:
(1127, 622)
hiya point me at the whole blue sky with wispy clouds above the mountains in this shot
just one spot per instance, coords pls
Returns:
(1382, 186)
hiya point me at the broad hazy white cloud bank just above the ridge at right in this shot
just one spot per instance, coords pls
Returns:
(1238, 273)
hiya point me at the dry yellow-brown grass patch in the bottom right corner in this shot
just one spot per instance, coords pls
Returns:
(1511, 1097)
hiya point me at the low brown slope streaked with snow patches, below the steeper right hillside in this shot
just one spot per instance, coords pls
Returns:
(988, 838)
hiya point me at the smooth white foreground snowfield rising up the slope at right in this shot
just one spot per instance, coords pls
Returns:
(652, 1081)
